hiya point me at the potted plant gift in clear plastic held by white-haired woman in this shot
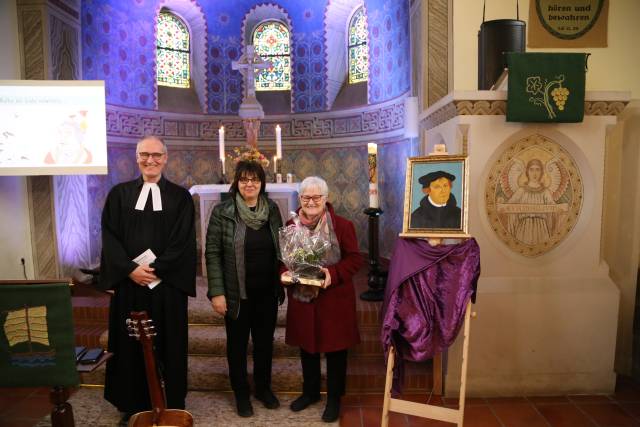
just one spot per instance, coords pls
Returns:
(302, 252)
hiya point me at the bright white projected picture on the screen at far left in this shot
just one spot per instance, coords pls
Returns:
(55, 128)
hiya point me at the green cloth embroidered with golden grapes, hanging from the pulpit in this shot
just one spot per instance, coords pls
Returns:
(546, 87)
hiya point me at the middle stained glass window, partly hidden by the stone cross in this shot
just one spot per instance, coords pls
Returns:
(271, 42)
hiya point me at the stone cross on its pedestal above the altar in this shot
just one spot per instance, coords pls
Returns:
(250, 110)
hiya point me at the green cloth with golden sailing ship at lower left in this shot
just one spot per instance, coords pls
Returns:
(36, 336)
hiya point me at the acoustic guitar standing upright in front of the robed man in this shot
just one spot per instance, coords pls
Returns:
(141, 327)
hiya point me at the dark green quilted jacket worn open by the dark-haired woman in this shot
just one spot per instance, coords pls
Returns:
(224, 253)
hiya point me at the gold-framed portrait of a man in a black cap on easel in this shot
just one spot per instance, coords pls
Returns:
(436, 197)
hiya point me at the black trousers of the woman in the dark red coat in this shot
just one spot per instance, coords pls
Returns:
(336, 373)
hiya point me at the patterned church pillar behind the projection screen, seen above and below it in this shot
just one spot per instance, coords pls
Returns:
(49, 32)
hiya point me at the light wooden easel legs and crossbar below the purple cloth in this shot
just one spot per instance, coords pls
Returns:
(424, 410)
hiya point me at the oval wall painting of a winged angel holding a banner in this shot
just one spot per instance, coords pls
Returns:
(534, 195)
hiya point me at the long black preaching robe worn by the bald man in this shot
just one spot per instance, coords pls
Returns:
(170, 234)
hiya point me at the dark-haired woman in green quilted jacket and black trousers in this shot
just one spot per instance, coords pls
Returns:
(242, 271)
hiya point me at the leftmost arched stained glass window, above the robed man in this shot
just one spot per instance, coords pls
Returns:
(172, 51)
